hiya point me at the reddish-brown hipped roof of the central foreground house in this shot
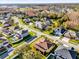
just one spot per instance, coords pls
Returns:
(43, 45)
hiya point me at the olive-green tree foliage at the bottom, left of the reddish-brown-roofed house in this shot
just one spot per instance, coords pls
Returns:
(27, 53)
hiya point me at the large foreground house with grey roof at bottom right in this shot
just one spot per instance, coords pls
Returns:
(63, 53)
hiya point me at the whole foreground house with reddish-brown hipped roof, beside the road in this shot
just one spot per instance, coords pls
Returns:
(44, 46)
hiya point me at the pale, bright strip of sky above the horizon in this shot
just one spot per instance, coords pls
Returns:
(37, 1)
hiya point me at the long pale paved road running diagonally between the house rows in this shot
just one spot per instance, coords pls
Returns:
(49, 36)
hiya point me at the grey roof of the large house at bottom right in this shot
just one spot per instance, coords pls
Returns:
(65, 53)
